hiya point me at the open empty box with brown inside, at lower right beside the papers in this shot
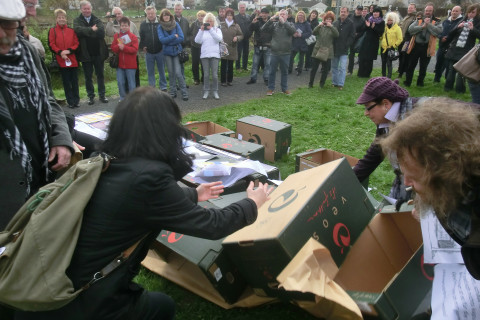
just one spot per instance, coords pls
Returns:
(384, 271)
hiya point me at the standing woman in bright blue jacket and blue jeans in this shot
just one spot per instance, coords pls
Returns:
(171, 36)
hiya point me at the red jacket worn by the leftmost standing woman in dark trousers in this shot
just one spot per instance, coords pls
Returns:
(63, 38)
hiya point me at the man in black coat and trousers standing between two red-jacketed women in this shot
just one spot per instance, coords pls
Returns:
(93, 50)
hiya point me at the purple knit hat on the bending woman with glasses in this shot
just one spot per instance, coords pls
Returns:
(382, 88)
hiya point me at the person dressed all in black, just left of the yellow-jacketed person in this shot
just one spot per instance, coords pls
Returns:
(375, 27)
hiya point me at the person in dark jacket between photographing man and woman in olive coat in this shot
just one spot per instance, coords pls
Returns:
(299, 45)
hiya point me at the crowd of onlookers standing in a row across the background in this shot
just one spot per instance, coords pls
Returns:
(279, 39)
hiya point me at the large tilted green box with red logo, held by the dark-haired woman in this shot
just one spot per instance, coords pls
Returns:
(326, 203)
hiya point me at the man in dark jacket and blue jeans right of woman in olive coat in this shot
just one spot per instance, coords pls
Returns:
(346, 31)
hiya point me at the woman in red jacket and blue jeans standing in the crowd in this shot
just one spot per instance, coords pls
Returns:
(125, 44)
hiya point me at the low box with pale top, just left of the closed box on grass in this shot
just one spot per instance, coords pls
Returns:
(245, 149)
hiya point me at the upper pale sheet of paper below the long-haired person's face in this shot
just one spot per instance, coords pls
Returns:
(438, 246)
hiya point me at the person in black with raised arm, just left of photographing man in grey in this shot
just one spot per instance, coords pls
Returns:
(261, 42)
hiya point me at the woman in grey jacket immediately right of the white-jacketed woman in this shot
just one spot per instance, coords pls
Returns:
(232, 34)
